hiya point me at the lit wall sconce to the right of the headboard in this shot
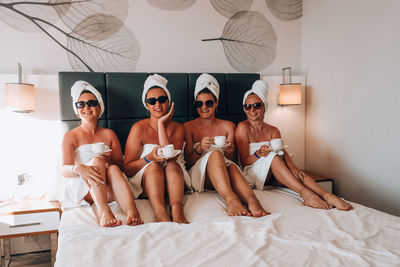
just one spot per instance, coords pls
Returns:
(290, 93)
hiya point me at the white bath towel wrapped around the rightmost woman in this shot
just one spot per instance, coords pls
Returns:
(256, 173)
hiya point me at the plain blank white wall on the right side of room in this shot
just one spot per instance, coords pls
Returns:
(351, 55)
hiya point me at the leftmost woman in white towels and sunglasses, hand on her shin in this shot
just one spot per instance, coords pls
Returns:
(95, 177)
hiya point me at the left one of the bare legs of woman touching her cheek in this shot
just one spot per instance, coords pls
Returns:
(153, 185)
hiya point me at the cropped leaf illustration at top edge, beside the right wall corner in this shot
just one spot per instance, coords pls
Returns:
(286, 9)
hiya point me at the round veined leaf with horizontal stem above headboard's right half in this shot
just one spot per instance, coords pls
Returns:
(249, 41)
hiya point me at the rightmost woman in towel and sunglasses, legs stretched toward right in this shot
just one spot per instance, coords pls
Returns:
(260, 162)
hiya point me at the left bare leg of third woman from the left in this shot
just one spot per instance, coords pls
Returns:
(219, 178)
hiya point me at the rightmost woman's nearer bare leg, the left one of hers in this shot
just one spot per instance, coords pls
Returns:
(285, 176)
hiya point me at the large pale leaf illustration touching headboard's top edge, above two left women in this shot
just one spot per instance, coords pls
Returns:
(119, 52)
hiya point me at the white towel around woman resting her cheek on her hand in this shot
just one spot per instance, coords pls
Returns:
(136, 180)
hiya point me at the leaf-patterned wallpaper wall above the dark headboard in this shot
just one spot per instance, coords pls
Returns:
(48, 36)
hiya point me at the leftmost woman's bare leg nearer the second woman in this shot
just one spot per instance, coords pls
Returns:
(122, 193)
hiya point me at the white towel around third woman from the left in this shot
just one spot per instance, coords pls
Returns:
(198, 171)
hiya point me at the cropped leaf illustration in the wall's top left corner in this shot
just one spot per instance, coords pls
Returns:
(34, 8)
